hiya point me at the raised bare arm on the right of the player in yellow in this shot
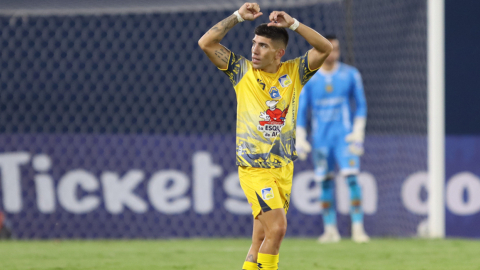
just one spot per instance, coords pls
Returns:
(321, 46)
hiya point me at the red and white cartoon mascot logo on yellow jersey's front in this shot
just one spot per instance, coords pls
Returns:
(274, 119)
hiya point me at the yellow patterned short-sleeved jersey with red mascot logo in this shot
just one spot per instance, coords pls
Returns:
(267, 106)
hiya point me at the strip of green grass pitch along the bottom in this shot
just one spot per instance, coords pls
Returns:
(228, 254)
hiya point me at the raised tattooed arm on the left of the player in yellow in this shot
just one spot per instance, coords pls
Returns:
(210, 41)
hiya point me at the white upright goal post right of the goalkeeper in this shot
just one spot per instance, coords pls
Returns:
(436, 117)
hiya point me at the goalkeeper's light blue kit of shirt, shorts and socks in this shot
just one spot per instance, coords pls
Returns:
(329, 96)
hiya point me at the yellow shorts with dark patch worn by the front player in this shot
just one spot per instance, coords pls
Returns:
(266, 189)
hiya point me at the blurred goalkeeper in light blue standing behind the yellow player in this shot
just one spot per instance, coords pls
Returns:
(335, 139)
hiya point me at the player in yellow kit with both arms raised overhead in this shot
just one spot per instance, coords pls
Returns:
(267, 93)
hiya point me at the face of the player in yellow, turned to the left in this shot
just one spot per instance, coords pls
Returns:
(264, 52)
